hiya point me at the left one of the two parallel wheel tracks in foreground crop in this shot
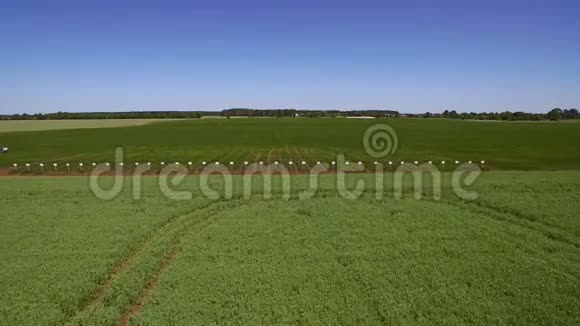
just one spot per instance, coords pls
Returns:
(95, 299)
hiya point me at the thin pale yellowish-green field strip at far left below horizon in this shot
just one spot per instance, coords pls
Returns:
(39, 125)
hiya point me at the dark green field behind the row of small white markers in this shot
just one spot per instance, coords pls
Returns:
(503, 145)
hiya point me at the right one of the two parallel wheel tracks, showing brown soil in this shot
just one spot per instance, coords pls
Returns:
(165, 263)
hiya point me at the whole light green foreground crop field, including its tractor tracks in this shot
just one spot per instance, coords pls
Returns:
(510, 257)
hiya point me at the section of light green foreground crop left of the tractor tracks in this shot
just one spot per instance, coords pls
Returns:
(58, 243)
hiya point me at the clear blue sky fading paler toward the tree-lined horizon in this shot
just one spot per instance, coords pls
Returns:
(413, 56)
